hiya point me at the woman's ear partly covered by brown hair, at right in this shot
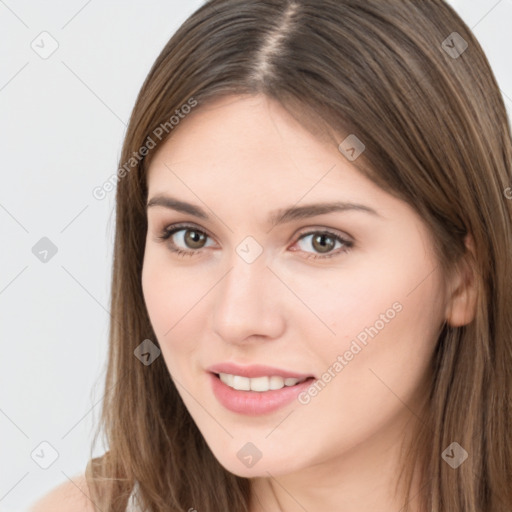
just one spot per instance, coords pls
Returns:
(462, 296)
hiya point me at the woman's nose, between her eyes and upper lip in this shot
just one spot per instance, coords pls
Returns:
(248, 303)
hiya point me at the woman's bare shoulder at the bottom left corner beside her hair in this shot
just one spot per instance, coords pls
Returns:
(71, 496)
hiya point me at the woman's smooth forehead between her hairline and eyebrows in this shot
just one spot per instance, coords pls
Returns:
(252, 144)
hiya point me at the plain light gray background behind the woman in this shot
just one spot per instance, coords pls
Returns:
(63, 119)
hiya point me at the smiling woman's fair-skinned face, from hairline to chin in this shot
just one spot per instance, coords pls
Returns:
(269, 287)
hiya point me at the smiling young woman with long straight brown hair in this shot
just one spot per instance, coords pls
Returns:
(312, 285)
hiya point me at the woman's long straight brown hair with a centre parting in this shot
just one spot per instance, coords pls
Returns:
(411, 81)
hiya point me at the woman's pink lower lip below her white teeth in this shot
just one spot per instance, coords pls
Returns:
(254, 403)
